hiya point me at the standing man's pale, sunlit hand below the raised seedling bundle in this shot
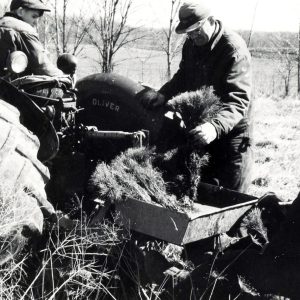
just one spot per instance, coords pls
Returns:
(203, 134)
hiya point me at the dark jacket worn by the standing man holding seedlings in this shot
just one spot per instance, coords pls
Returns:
(225, 64)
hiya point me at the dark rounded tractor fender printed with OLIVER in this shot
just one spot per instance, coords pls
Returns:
(112, 102)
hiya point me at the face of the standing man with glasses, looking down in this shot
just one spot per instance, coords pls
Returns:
(202, 35)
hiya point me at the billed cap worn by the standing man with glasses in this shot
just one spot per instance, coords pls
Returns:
(190, 13)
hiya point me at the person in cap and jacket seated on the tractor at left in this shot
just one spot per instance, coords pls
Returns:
(18, 32)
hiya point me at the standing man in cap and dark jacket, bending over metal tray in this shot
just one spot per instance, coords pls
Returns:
(217, 57)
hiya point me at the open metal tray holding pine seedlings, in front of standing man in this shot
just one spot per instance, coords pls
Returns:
(218, 211)
